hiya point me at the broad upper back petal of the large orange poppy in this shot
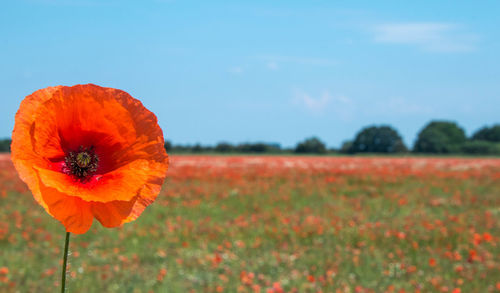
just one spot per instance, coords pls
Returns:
(116, 124)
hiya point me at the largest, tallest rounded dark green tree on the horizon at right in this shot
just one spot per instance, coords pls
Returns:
(440, 137)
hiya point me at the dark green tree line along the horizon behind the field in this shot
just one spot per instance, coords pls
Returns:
(437, 137)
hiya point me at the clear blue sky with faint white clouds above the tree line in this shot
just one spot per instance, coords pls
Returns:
(273, 71)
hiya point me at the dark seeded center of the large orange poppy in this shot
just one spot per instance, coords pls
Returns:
(81, 164)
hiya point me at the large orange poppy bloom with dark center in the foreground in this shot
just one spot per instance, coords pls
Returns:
(87, 151)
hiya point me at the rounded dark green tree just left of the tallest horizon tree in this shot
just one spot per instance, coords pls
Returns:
(373, 139)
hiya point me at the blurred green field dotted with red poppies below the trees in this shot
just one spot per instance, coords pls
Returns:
(275, 224)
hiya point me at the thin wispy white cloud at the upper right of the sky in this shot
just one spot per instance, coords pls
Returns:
(428, 36)
